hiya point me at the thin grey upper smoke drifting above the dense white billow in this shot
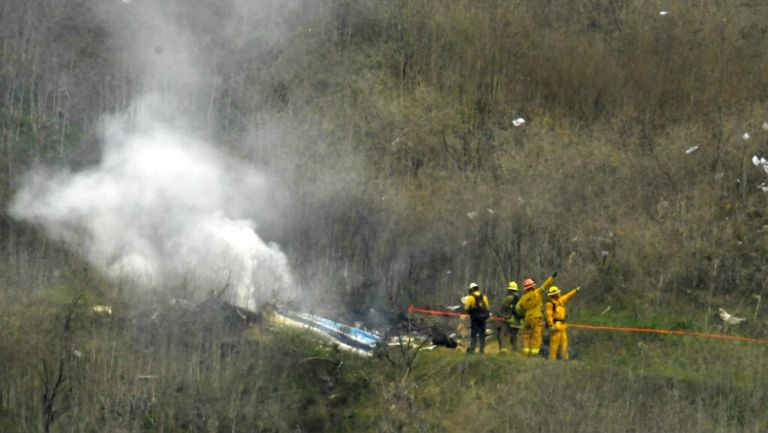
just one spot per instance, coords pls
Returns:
(185, 46)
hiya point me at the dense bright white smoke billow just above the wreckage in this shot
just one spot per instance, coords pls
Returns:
(162, 209)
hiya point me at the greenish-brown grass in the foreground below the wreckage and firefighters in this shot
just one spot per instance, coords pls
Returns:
(172, 375)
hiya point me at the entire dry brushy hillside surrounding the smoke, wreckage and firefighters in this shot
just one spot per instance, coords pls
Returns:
(392, 123)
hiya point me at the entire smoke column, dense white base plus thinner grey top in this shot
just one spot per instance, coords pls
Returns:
(164, 209)
